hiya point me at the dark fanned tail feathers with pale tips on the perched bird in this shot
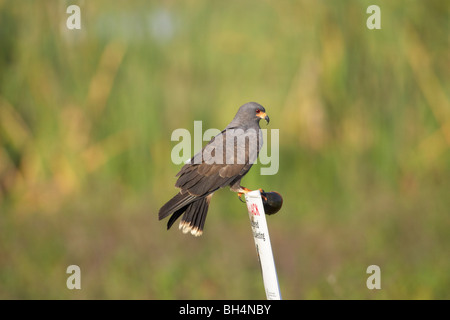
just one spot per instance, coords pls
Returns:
(194, 209)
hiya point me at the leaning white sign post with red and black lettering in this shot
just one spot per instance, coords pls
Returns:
(262, 242)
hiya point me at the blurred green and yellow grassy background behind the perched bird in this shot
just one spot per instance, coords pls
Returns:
(85, 124)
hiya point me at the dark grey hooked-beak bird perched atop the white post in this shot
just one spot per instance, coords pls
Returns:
(222, 162)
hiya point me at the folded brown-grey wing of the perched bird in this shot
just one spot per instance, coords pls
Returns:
(218, 164)
